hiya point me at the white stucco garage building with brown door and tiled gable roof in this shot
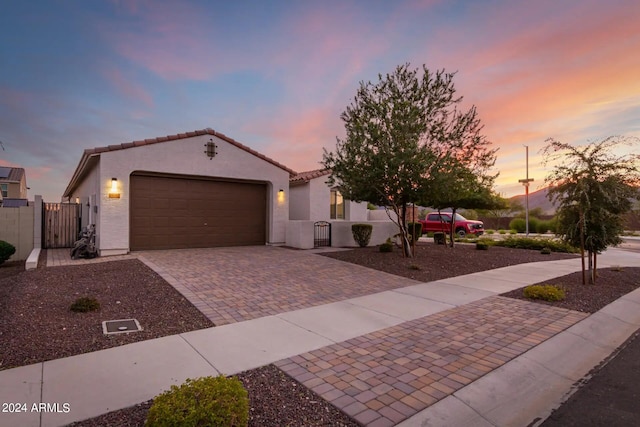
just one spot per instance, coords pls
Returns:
(196, 189)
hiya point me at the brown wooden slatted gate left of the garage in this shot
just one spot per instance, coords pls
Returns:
(60, 225)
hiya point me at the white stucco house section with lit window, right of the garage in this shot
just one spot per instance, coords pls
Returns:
(311, 198)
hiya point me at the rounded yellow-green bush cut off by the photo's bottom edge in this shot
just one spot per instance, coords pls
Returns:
(207, 401)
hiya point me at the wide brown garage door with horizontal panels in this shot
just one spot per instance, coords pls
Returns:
(178, 212)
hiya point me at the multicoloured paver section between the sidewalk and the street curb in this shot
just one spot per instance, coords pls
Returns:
(384, 377)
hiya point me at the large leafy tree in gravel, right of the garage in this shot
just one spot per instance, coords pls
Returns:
(400, 132)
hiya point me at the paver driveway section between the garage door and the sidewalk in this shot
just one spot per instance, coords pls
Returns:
(240, 283)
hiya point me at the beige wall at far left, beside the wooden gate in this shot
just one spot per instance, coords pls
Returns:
(16, 227)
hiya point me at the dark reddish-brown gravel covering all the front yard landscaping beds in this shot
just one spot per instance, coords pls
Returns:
(36, 323)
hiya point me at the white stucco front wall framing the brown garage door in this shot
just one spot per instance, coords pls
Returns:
(184, 156)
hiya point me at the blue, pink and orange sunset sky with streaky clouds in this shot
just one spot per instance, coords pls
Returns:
(275, 75)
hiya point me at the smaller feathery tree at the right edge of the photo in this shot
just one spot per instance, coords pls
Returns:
(593, 188)
